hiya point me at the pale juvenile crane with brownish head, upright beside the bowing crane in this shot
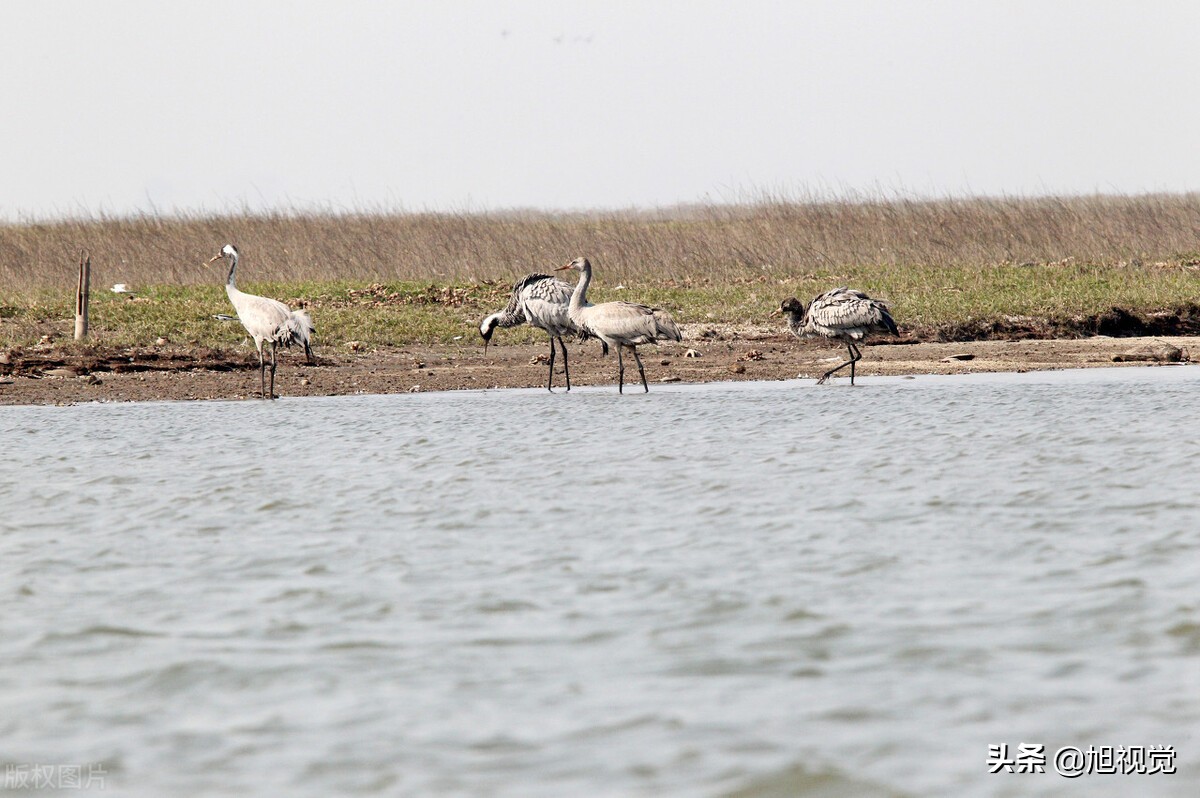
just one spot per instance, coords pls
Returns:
(625, 325)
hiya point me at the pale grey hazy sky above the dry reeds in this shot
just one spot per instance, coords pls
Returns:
(137, 106)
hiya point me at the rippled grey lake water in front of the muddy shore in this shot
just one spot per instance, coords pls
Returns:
(752, 590)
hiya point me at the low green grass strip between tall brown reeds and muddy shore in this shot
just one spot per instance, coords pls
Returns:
(405, 313)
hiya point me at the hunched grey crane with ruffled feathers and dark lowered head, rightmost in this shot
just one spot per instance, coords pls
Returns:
(842, 314)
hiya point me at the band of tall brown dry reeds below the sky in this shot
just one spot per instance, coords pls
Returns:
(709, 243)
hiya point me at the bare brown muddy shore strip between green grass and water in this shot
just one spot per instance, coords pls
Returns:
(51, 376)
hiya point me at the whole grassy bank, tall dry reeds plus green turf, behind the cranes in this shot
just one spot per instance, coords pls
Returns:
(939, 262)
